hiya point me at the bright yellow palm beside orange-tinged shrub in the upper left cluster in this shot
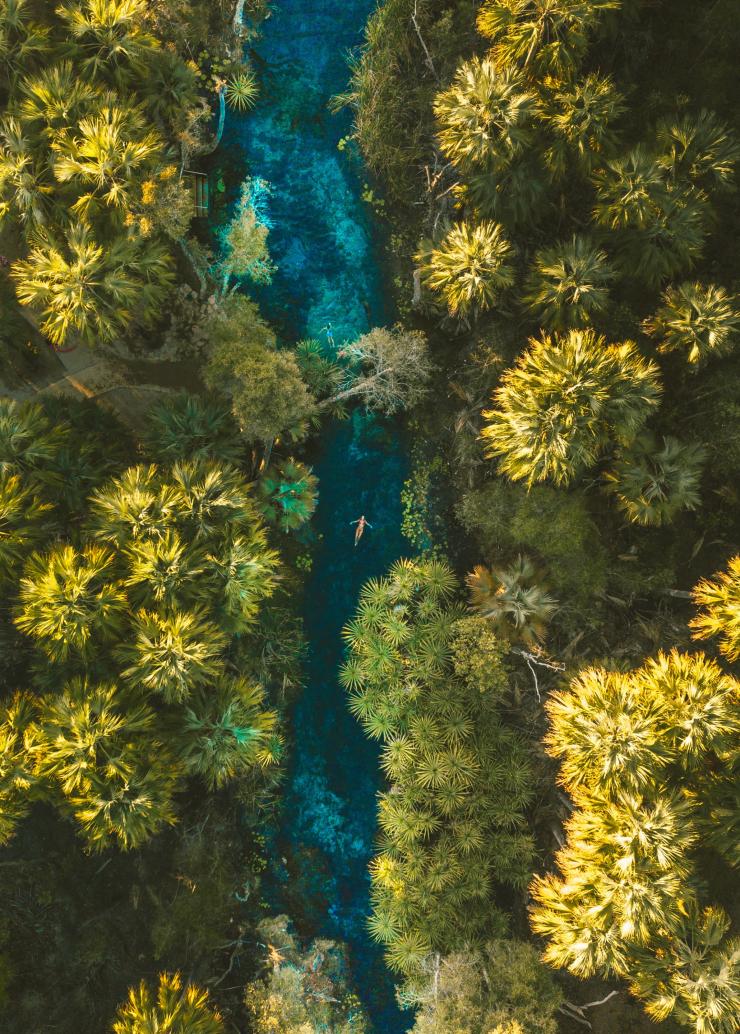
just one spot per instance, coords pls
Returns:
(104, 155)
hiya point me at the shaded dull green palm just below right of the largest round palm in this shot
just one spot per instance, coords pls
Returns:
(653, 484)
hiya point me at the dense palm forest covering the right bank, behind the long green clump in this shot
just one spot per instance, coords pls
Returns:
(562, 185)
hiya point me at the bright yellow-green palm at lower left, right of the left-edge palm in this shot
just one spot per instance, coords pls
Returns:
(89, 734)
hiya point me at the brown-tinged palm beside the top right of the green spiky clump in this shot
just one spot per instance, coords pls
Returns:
(513, 599)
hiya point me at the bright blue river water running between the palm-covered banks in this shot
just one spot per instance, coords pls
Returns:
(328, 275)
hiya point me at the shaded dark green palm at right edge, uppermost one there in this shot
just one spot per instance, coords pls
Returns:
(700, 150)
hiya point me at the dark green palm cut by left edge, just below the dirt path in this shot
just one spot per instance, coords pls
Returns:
(29, 443)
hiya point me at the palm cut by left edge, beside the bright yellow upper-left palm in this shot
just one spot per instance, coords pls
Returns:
(26, 186)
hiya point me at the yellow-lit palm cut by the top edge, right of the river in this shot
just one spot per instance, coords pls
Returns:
(545, 38)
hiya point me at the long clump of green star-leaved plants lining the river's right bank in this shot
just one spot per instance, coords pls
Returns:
(452, 819)
